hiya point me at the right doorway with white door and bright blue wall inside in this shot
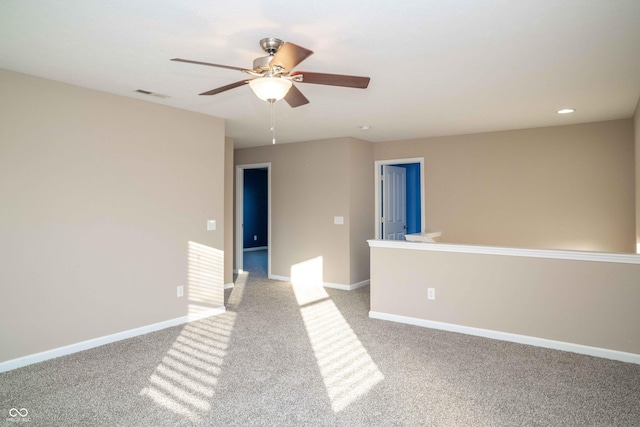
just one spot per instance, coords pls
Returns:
(404, 188)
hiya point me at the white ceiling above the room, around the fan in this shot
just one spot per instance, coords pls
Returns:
(437, 67)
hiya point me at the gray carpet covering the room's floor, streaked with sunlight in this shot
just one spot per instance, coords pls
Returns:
(271, 360)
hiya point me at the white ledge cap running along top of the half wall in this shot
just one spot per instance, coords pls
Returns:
(496, 250)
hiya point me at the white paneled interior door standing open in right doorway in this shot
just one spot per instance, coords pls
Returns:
(394, 196)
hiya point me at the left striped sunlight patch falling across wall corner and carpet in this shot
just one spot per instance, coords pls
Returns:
(184, 382)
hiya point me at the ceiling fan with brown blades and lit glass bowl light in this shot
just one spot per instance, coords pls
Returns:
(273, 75)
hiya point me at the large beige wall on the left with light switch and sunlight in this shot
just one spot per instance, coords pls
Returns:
(104, 207)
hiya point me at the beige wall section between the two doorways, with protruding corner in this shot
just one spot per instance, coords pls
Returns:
(311, 183)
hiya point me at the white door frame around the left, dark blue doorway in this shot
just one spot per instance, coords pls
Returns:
(239, 252)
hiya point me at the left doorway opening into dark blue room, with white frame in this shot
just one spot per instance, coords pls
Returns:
(253, 218)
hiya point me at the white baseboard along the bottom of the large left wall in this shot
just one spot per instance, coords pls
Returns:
(107, 339)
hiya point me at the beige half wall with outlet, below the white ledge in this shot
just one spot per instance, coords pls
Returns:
(581, 302)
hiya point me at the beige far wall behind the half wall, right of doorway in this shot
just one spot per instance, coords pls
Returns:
(564, 187)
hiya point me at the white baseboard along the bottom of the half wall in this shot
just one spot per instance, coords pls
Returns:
(506, 336)
